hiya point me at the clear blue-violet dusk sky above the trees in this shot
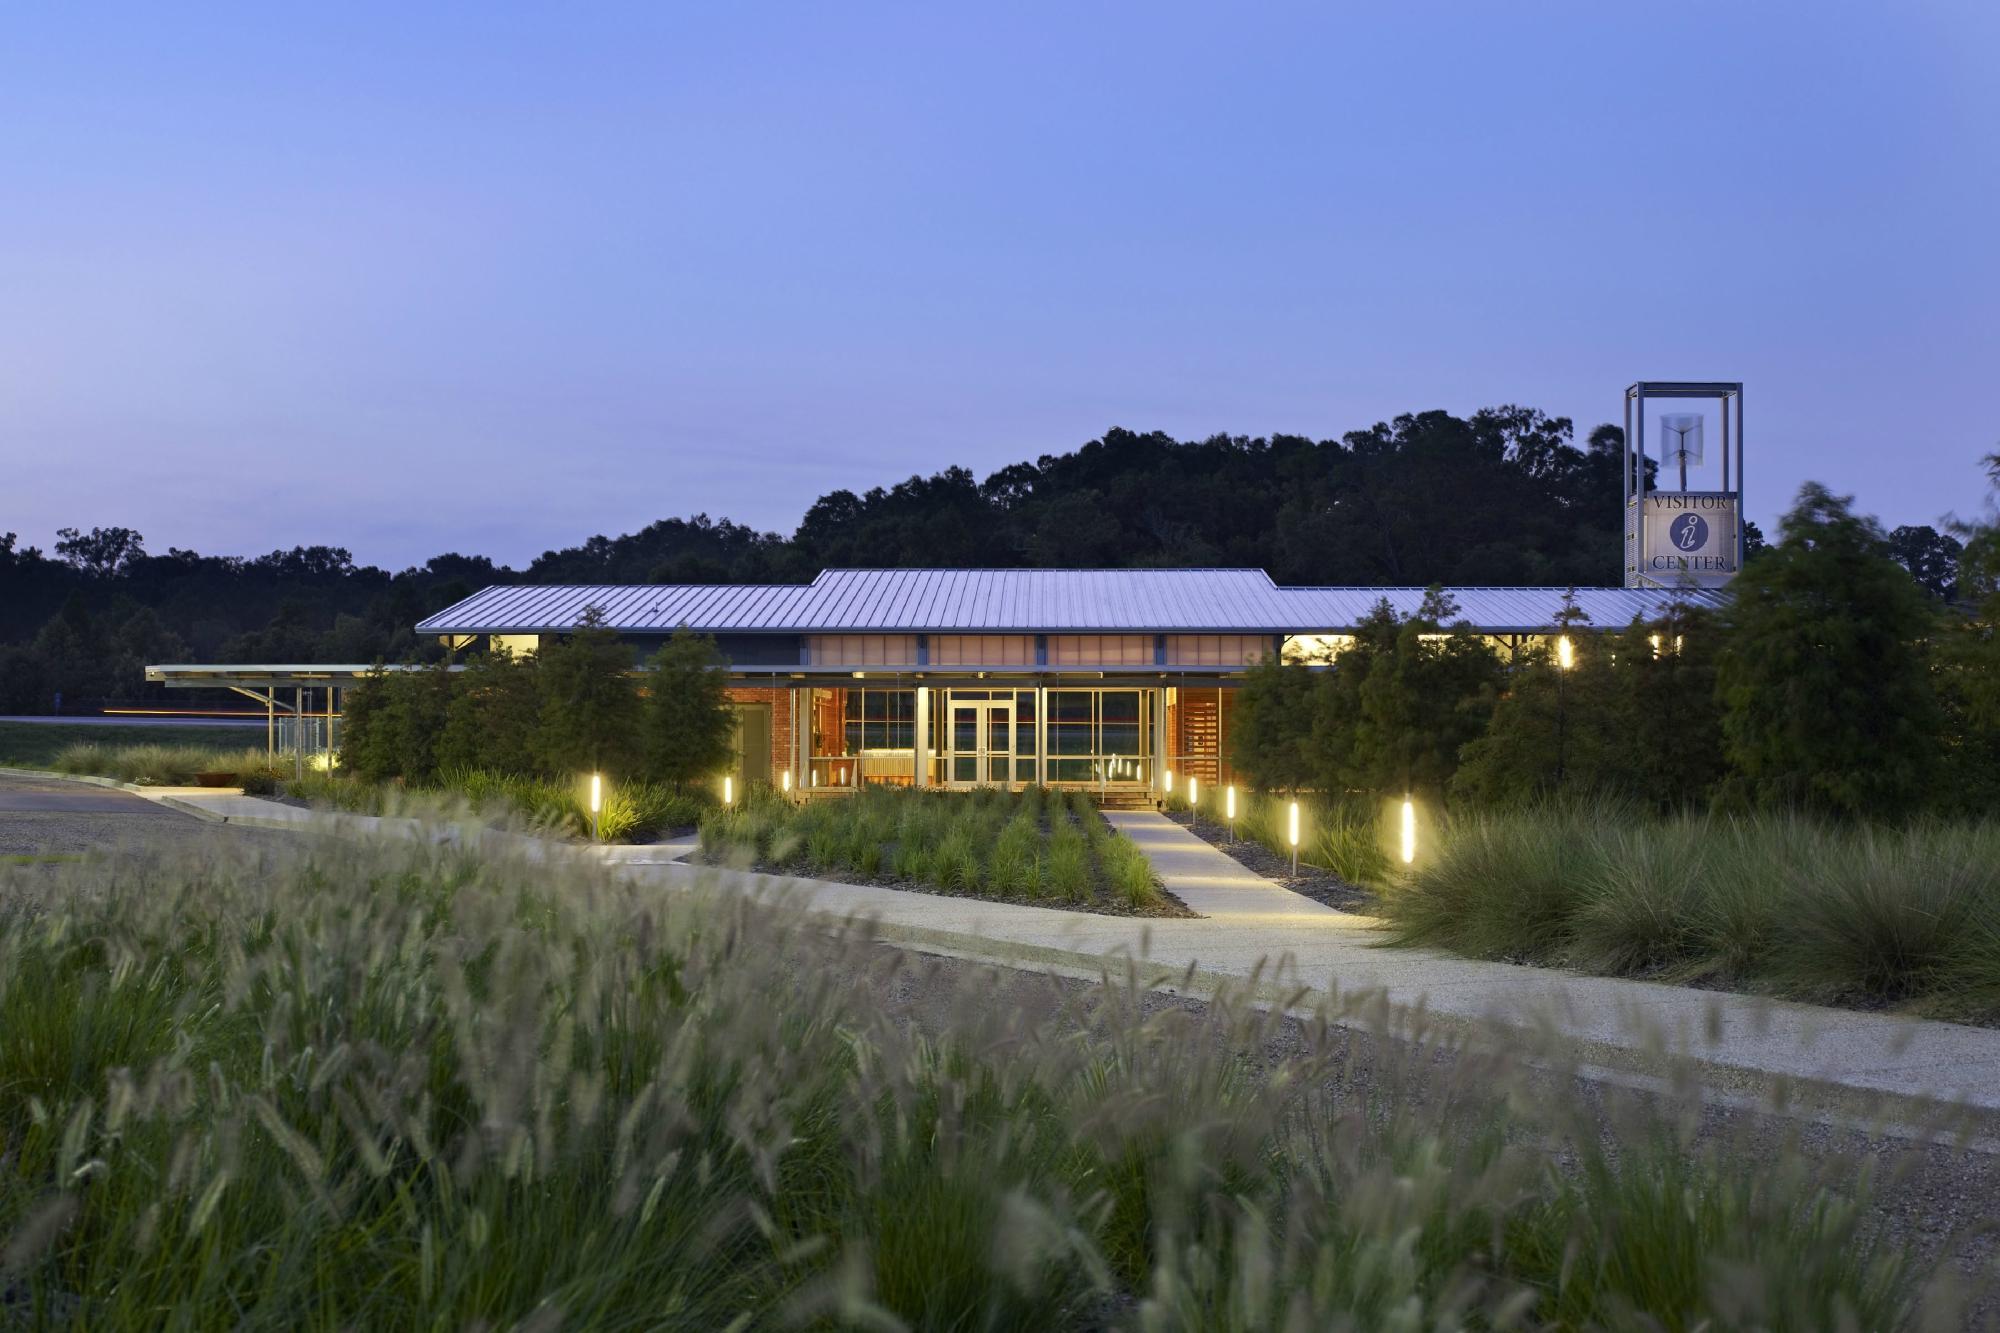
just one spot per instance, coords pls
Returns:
(491, 279)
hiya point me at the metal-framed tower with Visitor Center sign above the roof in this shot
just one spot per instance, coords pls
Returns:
(1681, 537)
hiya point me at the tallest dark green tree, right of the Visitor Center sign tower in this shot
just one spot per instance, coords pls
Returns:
(1827, 698)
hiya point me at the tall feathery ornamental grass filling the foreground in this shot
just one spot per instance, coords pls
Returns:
(353, 1084)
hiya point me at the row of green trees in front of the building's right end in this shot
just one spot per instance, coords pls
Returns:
(1835, 682)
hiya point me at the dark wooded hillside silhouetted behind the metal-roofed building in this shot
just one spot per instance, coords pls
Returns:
(1501, 497)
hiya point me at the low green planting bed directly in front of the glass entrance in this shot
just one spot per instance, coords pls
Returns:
(1035, 848)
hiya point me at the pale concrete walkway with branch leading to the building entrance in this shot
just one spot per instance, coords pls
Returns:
(1253, 928)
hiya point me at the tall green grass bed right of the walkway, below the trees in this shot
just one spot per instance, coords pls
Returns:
(1771, 904)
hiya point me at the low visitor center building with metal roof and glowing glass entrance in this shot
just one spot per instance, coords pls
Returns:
(977, 678)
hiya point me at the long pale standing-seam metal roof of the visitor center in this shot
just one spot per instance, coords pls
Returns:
(1015, 601)
